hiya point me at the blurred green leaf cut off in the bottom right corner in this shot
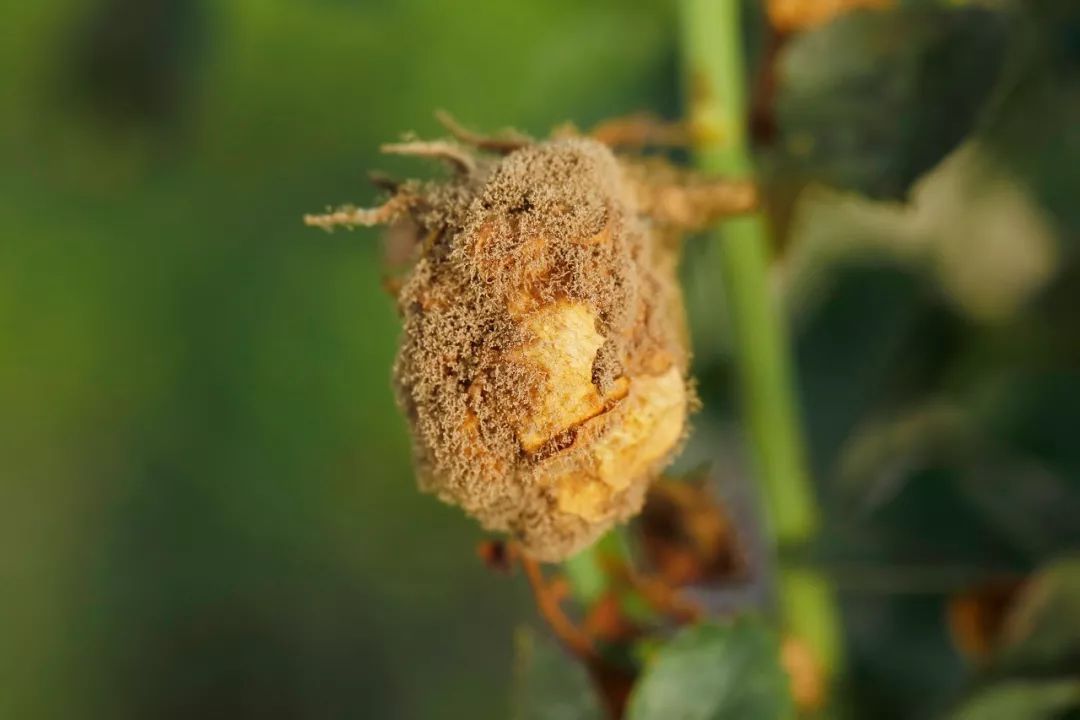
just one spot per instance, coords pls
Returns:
(1022, 700)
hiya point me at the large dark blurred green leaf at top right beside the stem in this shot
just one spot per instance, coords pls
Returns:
(875, 100)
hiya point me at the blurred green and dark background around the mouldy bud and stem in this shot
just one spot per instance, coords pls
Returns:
(207, 506)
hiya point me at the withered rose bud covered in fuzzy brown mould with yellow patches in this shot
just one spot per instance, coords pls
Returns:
(544, 361)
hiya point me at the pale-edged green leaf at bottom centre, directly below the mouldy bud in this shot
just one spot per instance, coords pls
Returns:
(712, 672)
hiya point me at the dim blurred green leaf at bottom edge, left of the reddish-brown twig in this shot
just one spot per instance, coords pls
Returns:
(549, 685)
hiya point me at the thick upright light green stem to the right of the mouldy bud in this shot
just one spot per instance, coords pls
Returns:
(712, 47)
